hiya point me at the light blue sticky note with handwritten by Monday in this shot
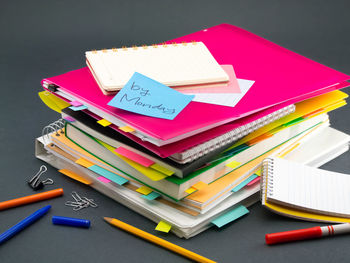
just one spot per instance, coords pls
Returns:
(149, 97)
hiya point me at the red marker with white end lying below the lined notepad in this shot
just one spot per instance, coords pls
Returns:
(308, 233)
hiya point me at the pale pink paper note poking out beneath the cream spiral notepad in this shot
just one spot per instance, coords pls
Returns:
(231, 87)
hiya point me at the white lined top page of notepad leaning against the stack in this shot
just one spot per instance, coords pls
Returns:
(308, 188)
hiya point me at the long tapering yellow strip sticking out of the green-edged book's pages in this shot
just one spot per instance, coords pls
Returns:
(149, 172)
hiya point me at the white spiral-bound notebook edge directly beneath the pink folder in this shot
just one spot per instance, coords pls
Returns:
(196, 152)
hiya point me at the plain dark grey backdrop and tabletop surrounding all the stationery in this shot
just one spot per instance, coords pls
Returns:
(39, 39)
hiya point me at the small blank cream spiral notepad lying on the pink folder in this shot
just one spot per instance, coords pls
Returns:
(170, 64)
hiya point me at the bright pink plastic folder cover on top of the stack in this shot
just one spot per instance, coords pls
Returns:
(280, 76)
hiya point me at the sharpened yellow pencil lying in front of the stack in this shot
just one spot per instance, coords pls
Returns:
(159, 241)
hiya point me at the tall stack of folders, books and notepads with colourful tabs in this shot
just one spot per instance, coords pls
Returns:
(201, 168)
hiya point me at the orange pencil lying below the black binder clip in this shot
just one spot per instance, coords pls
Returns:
(31, 199)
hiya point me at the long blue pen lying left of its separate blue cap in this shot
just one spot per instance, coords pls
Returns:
(23, 224)
